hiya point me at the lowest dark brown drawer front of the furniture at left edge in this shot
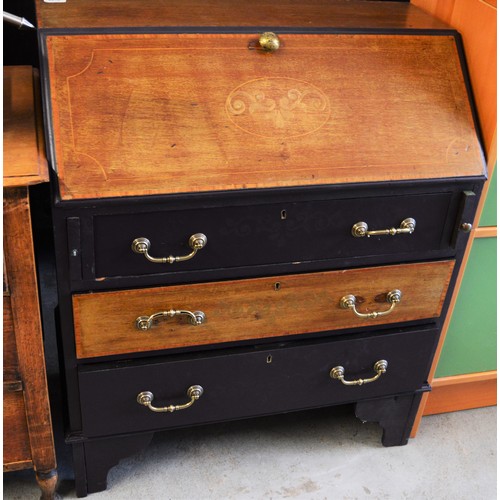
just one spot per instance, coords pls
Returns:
(16, 444)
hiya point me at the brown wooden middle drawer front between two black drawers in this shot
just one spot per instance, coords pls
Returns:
(107, 323)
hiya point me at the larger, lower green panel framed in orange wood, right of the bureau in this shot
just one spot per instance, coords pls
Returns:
(470, 344)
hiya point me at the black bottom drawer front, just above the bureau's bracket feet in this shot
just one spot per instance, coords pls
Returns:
(250, 382)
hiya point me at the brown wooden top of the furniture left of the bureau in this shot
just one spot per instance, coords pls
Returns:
(23, 148)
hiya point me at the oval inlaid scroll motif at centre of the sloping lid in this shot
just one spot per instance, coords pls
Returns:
(278, 107)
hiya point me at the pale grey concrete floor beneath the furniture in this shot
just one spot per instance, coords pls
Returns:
(320, 454)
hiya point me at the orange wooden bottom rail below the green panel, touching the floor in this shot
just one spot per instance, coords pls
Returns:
(462, 392)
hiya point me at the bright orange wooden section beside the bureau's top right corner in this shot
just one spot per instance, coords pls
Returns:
(476, 20)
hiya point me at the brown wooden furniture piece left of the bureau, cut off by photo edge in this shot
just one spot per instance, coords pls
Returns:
(27, 437)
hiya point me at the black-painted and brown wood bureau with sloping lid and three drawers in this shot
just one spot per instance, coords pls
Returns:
(253, 213)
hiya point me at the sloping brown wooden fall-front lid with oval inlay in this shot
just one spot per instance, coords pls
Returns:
(152, 114)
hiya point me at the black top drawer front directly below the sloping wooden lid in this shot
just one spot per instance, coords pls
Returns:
(274, 233)
